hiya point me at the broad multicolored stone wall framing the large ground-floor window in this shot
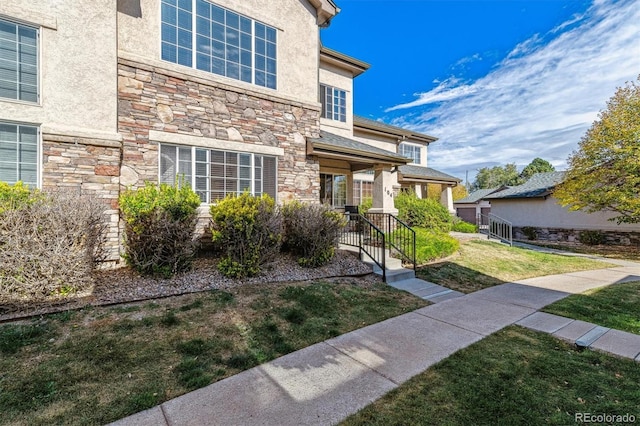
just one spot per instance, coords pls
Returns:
(156, 99)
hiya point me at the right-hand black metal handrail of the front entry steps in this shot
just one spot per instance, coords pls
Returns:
(400, 236)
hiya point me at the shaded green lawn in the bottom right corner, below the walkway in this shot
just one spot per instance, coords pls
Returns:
(513, 377)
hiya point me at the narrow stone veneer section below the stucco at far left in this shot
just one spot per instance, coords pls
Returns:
(89, 166)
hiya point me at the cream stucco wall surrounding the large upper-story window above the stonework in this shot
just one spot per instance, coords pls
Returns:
(297, 43)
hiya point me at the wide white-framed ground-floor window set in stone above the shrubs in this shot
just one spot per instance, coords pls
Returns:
(213, 174)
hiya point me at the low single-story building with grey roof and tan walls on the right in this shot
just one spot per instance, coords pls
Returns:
(533, 205)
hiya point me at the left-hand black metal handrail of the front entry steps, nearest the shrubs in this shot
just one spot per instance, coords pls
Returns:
(361, 233)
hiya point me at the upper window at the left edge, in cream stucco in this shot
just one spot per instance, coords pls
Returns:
(18, 61)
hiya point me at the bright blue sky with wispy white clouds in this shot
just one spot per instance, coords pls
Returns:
(496, 81)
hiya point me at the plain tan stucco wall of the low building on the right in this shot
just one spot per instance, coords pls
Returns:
(548, 214)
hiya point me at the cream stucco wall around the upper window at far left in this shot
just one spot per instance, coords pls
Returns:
(77, 67)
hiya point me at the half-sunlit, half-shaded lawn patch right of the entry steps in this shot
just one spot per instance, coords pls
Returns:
(480, 264)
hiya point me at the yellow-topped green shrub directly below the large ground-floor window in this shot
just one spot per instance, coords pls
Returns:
(248, 229)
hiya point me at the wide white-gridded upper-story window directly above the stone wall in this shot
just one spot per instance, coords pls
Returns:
(223, 42)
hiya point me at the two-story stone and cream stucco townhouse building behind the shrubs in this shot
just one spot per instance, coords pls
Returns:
(99, 96)
